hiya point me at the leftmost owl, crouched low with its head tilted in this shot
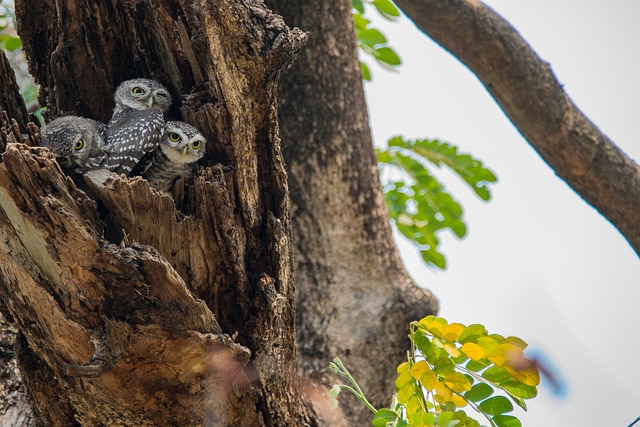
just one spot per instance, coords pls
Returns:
(78, 143)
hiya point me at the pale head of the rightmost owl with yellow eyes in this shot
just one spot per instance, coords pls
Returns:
(182, 143)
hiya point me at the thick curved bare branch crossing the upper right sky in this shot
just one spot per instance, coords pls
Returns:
(530, 95)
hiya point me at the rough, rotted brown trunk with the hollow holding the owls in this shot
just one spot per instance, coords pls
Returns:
(132, 312)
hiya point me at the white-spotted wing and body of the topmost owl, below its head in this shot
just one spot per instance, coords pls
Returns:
(130, 137)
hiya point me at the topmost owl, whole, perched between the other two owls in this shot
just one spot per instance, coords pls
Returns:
(137, 123)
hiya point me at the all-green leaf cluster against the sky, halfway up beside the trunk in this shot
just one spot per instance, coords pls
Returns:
(419, 204)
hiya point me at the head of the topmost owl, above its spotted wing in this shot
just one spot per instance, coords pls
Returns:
(142, 94)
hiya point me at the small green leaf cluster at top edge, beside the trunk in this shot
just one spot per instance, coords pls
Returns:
(371, 41)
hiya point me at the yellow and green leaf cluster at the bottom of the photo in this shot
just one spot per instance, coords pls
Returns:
(450, 367)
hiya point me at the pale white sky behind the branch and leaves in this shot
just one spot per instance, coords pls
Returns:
(538, 262)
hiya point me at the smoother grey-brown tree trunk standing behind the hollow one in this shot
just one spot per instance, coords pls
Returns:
(355, 300)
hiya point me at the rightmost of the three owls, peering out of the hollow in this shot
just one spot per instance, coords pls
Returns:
(181, 146)
